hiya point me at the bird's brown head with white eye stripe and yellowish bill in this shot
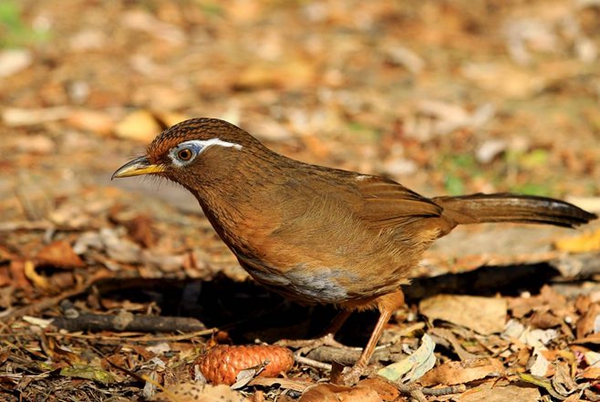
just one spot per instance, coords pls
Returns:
(194, 153)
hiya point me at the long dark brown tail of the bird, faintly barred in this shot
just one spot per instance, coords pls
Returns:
(506, 207)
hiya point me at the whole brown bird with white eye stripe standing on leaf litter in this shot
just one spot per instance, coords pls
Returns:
(316, 234)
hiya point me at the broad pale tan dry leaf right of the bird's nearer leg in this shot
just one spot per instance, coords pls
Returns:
(484, 315)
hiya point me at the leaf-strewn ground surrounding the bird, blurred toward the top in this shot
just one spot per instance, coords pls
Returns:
(113, 290)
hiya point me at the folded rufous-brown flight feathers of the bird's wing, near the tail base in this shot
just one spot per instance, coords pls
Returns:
(388, 204)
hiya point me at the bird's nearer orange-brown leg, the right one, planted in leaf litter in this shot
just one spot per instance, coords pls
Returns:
(386, 305)
